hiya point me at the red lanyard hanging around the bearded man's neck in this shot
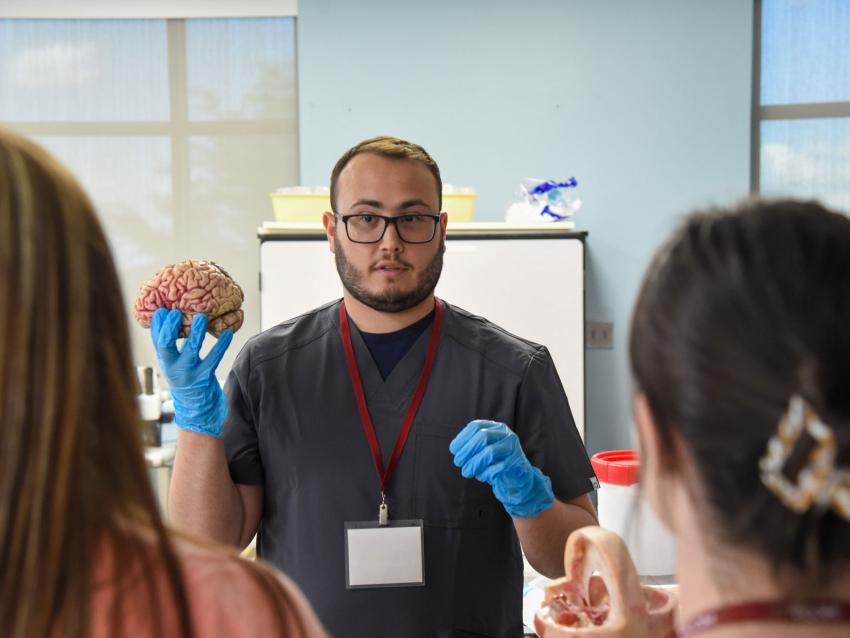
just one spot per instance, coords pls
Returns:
(365, 418)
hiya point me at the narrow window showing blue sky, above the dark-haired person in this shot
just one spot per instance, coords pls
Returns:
(802, 100)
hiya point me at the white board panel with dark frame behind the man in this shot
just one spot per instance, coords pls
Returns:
(532, 287)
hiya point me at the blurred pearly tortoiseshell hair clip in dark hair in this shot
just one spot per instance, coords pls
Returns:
(799, 464)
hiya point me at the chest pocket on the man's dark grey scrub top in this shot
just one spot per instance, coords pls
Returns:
(443, 497)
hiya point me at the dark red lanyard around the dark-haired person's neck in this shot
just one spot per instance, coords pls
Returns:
(817, 612)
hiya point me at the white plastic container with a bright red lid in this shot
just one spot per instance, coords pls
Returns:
(622, 510)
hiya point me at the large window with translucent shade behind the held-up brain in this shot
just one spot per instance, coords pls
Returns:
(178, 129)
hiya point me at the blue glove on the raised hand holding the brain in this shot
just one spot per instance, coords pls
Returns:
(199, 403)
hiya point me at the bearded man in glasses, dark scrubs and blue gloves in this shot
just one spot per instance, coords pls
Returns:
(362, 416)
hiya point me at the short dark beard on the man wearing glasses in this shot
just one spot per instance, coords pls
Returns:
(391, 300)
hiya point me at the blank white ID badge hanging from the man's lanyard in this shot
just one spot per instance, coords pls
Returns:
(390, 555)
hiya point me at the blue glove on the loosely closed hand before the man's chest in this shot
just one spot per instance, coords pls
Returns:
(490, 452)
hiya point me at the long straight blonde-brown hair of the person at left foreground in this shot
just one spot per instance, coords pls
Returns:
(72, 473)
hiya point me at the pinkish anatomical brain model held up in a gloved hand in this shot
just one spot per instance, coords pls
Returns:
(192, 286)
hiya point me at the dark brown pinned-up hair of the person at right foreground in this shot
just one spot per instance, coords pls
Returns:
(739, 310)
